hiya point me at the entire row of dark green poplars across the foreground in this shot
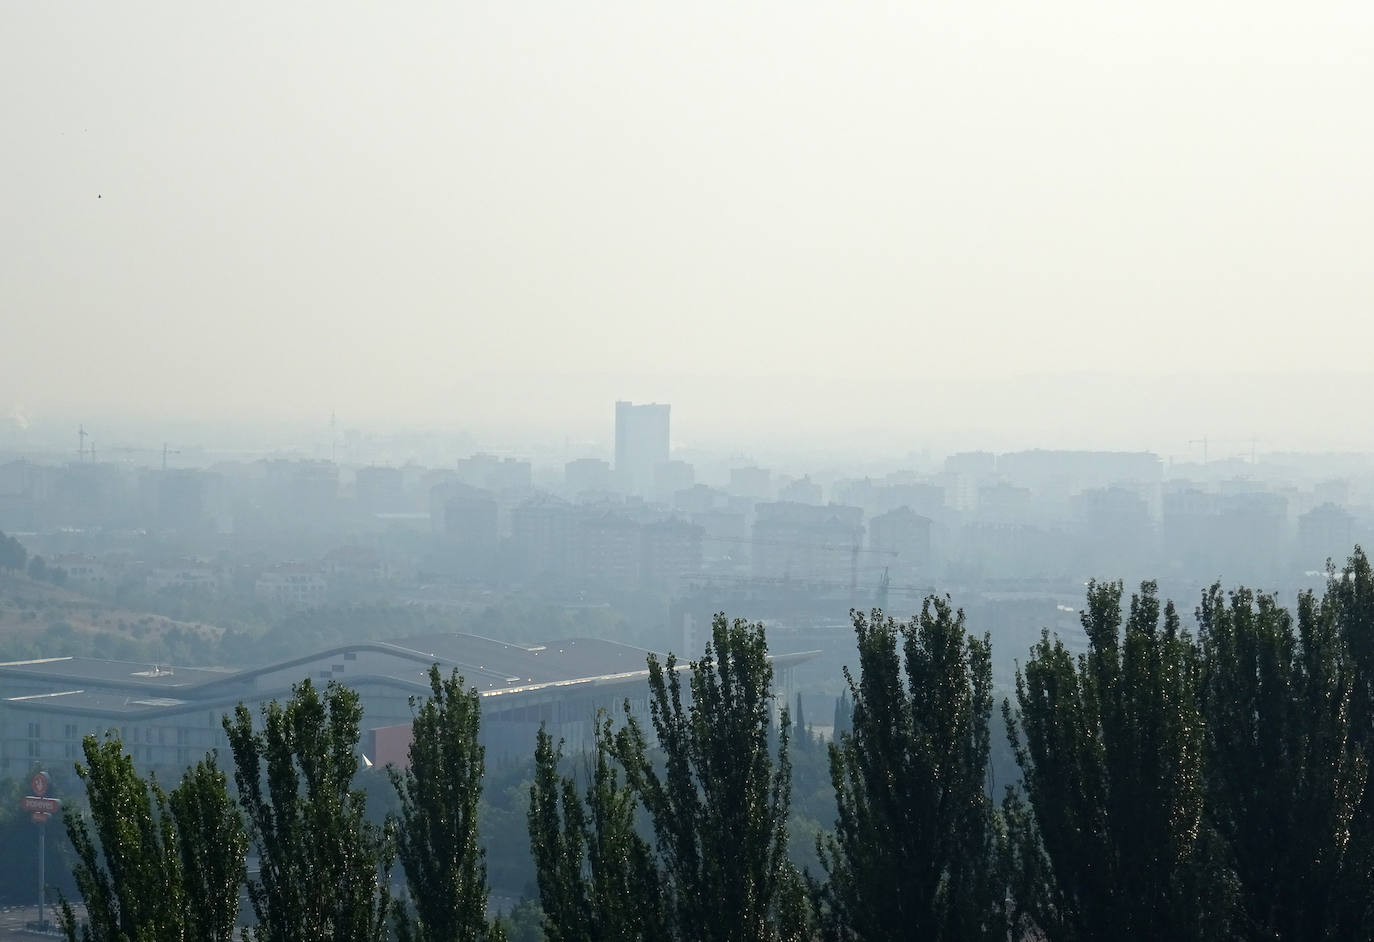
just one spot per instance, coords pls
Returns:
(1182, 785)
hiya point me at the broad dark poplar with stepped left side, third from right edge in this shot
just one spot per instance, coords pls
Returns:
(1111, 749)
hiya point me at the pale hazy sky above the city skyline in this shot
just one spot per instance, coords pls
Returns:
(776, 216)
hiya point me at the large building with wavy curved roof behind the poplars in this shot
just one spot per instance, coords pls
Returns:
(171, 717)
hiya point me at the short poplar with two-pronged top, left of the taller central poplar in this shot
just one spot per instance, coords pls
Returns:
(598, 880)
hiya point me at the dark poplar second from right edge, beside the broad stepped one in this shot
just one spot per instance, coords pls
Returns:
(1283, 781)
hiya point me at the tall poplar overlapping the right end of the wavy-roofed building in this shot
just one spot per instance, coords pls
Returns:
(719, 807)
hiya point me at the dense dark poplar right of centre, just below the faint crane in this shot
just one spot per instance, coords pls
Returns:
(914, 855)
